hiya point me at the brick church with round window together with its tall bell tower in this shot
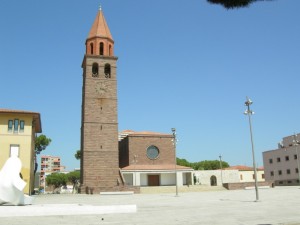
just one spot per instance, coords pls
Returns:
(108, 164)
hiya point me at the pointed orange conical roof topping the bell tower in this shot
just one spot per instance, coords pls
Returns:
(100, 28)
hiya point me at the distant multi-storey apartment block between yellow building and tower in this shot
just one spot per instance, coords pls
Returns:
(49, 165)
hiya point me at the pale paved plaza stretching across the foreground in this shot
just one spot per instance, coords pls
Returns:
(278, 205)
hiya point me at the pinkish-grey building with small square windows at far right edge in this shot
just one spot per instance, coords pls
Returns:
(282, 164)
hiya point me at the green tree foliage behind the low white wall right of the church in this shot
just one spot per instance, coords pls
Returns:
(203, 165)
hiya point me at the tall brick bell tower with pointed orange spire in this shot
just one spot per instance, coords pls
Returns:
(99, 122)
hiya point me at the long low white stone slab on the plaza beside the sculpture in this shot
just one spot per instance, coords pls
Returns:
(63, 209)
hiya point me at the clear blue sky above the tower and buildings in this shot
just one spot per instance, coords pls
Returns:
(183, 64)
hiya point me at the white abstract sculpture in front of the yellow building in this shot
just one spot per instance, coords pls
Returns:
(11, 185)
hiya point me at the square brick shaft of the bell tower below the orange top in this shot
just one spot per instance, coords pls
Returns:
(100, 159)
